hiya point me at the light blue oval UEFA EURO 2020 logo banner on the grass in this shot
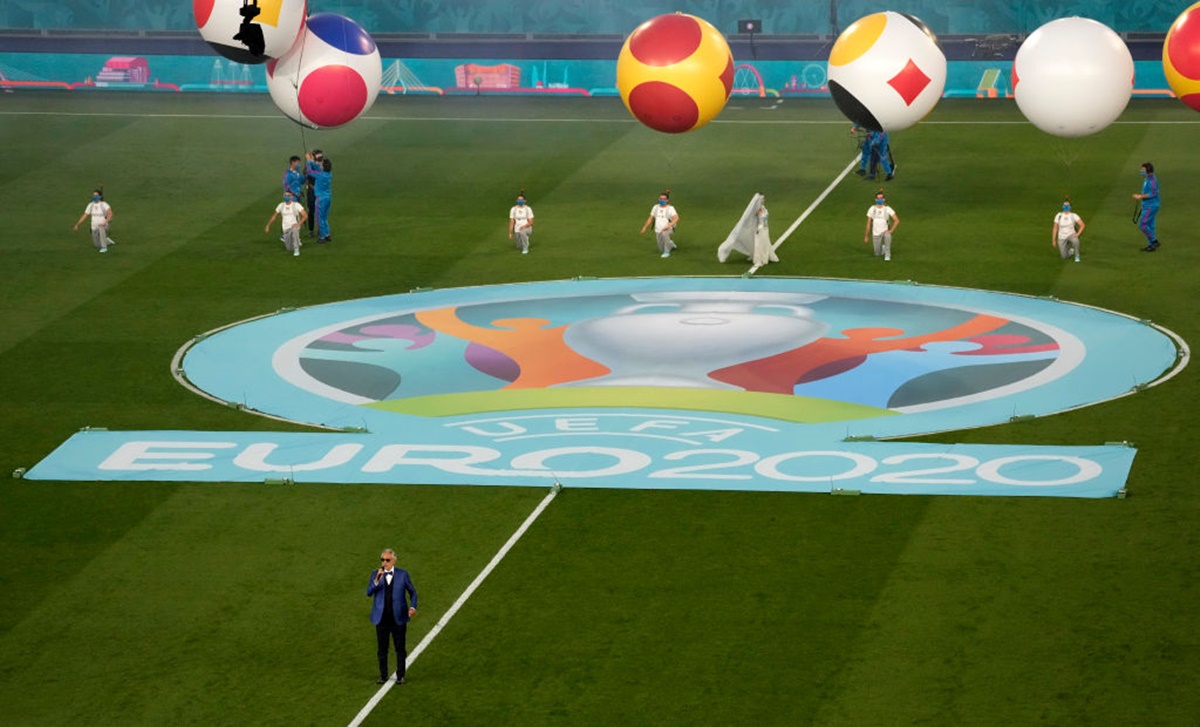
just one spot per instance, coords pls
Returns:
(667, 383)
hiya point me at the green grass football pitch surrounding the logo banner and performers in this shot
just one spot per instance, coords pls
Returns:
(244, 605)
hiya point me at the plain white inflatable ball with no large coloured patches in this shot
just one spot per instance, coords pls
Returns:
(1073, 77)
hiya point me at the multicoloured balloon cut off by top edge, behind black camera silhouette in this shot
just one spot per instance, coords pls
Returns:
(250, 32)
